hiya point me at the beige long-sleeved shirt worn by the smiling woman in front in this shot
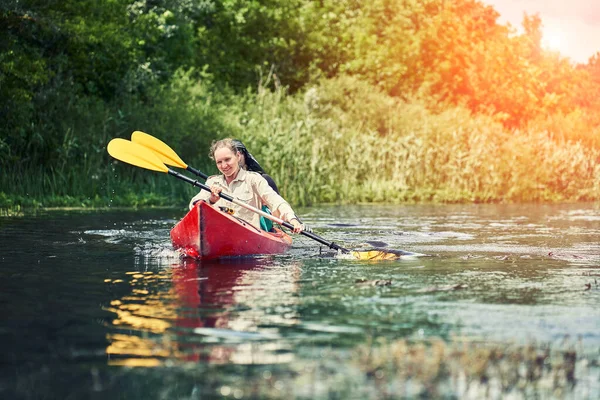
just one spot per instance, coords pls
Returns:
(252, 189)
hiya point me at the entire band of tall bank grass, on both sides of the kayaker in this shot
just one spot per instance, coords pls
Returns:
(339, 141)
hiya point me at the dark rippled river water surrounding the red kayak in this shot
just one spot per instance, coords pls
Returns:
(505, 304)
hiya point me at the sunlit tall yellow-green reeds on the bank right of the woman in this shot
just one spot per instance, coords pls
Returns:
(345, 142)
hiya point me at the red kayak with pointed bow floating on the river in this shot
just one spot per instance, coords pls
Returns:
(208, 233)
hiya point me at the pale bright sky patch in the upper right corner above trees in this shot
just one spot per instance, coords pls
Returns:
(571, 27)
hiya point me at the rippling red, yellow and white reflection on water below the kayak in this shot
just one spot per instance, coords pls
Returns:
(227, 311)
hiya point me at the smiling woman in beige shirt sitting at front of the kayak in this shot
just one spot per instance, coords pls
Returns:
(247, 186)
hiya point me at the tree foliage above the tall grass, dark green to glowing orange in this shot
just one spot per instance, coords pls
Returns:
(92, 60)
